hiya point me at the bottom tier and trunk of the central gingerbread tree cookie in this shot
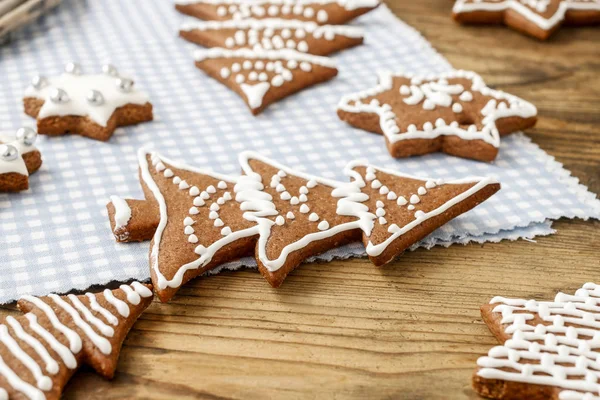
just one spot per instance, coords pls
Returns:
(199, 223)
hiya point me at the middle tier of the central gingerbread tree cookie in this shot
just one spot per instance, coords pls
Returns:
(297, 215)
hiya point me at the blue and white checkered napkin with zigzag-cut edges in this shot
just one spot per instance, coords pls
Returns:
(56, 237)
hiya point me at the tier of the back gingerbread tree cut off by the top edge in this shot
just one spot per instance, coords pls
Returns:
(333, 12)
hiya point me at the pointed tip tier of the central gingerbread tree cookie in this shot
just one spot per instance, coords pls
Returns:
(401, 210)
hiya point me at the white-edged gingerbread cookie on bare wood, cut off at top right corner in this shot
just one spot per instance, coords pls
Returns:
(537, 18)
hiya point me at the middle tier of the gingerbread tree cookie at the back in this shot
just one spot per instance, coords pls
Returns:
(269, 34)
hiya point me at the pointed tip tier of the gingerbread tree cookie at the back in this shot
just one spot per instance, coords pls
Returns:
(262, 77)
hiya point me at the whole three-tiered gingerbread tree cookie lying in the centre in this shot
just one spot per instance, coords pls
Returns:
(199, 219)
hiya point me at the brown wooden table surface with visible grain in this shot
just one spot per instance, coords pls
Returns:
(410, 330)
